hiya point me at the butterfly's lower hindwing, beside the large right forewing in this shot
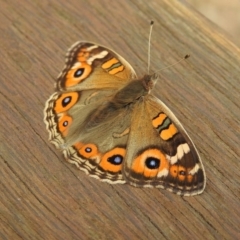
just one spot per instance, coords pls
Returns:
(101, 149)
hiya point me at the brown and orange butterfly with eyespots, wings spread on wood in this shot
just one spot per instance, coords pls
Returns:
(107, 123)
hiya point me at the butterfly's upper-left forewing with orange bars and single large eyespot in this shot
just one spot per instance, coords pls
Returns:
(91, 66)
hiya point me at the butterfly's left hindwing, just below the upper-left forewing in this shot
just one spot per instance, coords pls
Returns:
(66, 112)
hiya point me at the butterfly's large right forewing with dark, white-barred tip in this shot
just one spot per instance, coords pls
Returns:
(160, 153)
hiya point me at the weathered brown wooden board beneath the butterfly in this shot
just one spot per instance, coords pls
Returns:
(42, 196)
